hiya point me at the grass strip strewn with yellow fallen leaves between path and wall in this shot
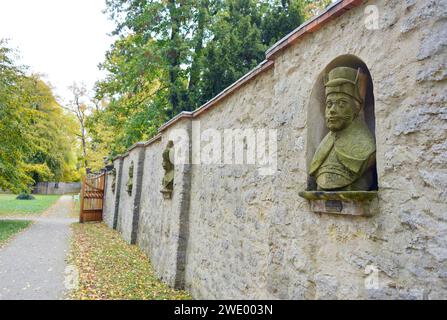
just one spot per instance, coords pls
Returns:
(111, 269)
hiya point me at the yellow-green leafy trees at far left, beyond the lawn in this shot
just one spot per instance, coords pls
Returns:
(38, 137)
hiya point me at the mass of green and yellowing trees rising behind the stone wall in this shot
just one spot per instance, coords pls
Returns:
(175, 55)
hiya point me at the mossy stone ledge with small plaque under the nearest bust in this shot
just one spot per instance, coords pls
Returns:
(356, 203)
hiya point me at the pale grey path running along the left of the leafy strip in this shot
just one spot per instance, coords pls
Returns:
(32, 265)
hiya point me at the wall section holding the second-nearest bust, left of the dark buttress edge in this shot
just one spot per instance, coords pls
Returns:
(161, 227)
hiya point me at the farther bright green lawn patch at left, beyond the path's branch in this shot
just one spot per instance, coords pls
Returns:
(10, 206)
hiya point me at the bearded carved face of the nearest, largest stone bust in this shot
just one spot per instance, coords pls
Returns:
(341, 110)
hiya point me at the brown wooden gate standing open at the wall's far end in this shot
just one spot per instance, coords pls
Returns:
(92, 198)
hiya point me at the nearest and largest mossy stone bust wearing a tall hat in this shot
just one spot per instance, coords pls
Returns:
(345, 156)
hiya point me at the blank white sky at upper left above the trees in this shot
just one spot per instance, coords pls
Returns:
(63, 39)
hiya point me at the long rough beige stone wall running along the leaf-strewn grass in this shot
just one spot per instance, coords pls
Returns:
(231, 232)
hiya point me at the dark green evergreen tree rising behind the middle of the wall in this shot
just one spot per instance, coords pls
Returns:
(236, 46)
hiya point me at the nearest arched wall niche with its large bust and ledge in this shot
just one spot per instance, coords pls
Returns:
(340, 81)
